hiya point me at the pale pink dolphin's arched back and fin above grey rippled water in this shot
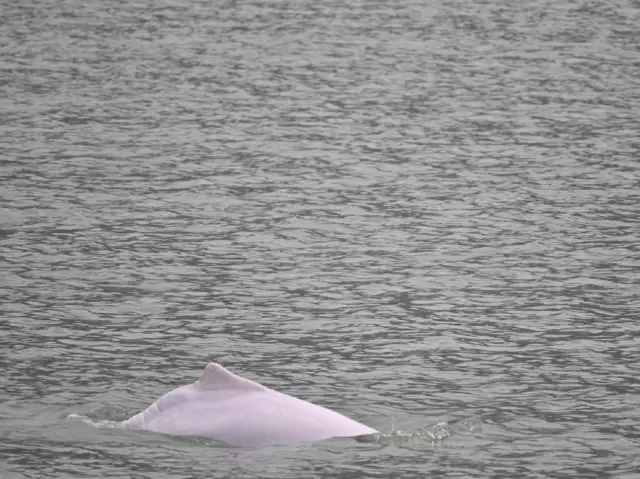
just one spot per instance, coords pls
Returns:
(240, 412)
